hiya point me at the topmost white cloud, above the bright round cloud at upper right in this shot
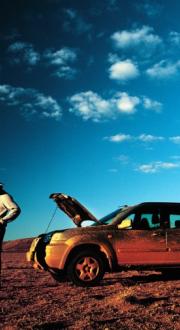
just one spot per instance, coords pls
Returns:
(136, 37)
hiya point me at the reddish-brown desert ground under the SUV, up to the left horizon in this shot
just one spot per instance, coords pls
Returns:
(31, 299)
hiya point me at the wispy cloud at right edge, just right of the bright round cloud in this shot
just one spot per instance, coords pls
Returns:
(163, 69)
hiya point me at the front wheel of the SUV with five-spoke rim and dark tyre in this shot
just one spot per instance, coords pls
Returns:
(86, 268)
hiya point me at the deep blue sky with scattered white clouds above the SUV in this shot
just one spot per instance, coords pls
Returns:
(89, 105)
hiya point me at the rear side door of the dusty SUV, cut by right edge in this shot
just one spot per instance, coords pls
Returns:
(173, 234)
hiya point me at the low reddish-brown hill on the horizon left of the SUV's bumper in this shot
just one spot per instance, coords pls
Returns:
(18, 245)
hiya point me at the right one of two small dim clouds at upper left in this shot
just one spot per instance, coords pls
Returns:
(62, 62)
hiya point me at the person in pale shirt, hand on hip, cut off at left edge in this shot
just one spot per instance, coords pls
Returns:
(9, 211)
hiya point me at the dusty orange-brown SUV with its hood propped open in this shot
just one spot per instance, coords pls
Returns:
(143, 236)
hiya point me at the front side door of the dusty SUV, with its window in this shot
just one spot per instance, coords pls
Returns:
(145, 242)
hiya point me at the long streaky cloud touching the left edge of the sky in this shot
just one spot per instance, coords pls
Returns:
(30, 102)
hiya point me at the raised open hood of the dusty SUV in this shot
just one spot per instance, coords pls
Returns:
(76, 211)
